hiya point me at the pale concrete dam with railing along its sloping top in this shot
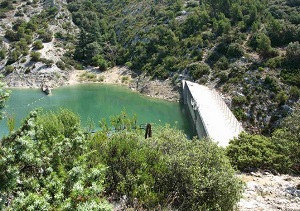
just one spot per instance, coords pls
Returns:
(211, 116)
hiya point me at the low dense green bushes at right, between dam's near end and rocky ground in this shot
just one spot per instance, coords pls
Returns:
(278, 153)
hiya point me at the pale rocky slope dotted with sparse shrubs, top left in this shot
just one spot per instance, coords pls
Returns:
(35, 37)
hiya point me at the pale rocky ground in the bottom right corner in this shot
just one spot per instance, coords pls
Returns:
(265, 191)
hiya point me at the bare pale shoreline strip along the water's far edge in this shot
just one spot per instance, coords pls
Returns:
(120, 76)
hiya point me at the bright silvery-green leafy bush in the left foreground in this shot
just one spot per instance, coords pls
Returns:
(50, 168)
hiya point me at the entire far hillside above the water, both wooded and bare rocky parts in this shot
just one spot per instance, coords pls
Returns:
(247, 49)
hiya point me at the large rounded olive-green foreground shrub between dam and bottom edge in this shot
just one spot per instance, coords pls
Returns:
(169, 170)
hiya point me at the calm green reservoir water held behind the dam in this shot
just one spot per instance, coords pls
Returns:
(96, 102)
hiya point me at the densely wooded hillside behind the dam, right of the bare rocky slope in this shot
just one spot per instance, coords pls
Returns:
(243, 47)
